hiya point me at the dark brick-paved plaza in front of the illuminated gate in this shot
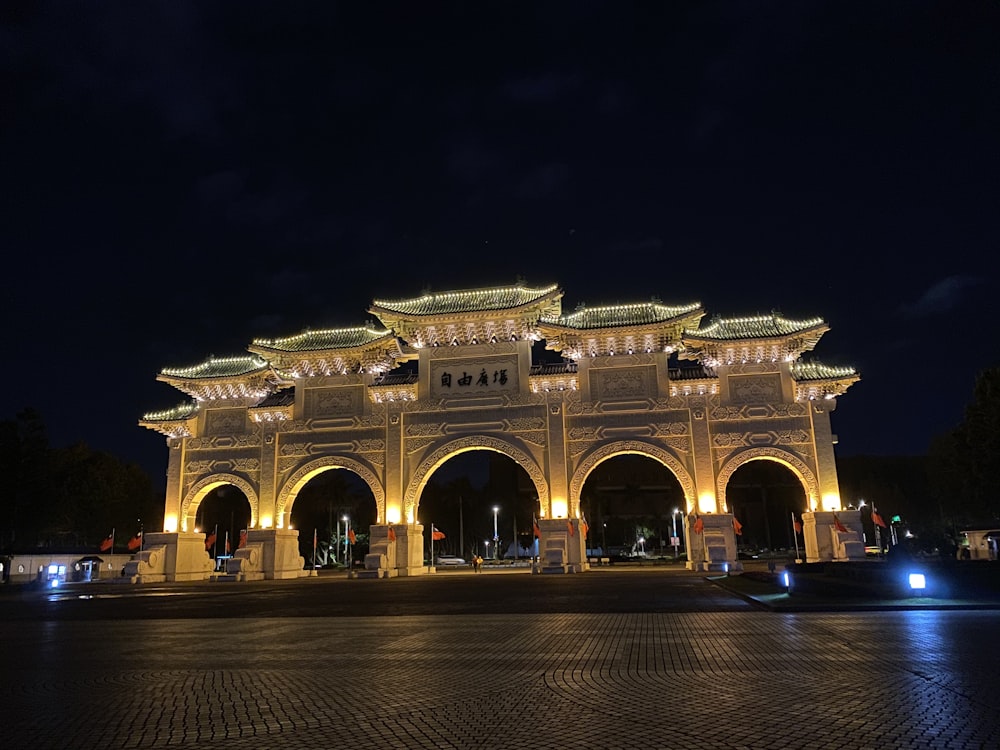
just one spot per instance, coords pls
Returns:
(597, 660)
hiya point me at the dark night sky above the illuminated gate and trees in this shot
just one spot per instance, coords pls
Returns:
(180, 178)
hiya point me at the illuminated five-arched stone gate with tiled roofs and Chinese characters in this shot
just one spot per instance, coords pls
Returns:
(644, 378)
